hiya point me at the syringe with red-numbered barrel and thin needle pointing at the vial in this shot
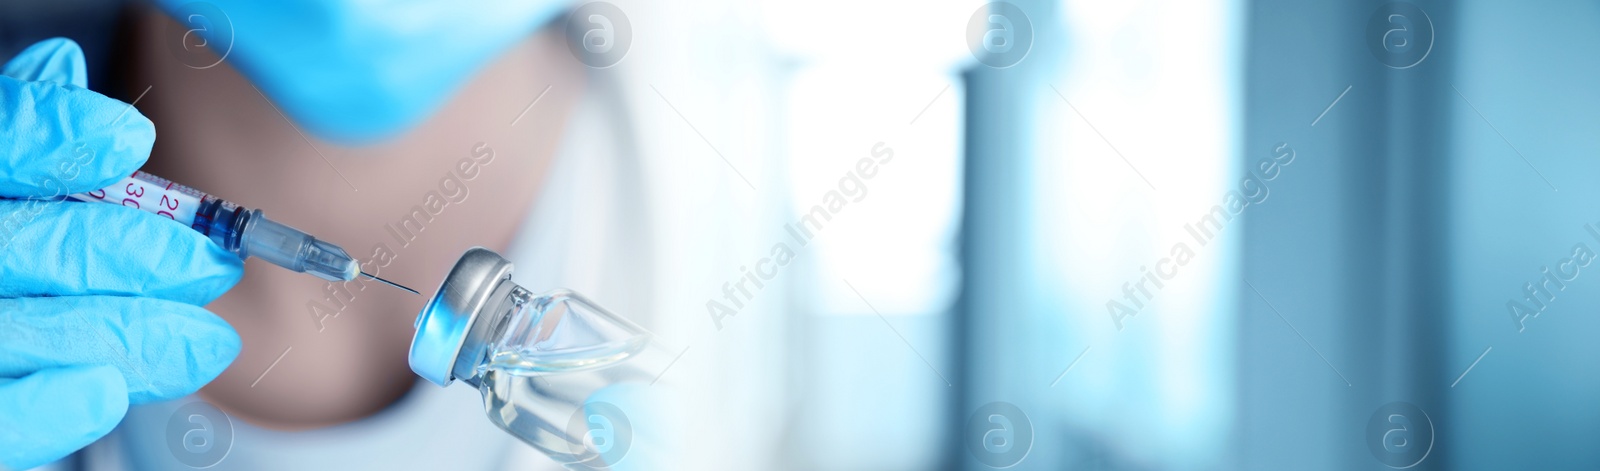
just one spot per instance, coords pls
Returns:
(244, 233)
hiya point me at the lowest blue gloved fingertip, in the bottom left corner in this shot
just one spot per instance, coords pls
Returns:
(55, 413)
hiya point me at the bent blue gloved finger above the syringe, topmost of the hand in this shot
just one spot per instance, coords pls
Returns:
(62, 139)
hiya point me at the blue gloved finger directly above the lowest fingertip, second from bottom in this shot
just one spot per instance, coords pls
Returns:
(162, 350)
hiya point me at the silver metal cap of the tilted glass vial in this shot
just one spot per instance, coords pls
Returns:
(446, 324)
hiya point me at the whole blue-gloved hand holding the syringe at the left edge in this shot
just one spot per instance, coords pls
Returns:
(98, 304)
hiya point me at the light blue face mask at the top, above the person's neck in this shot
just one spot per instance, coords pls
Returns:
(362, 70)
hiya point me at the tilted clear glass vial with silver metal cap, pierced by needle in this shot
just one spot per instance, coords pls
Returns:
(538, 360)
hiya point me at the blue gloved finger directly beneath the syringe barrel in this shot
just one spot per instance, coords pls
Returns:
(68, 249)
